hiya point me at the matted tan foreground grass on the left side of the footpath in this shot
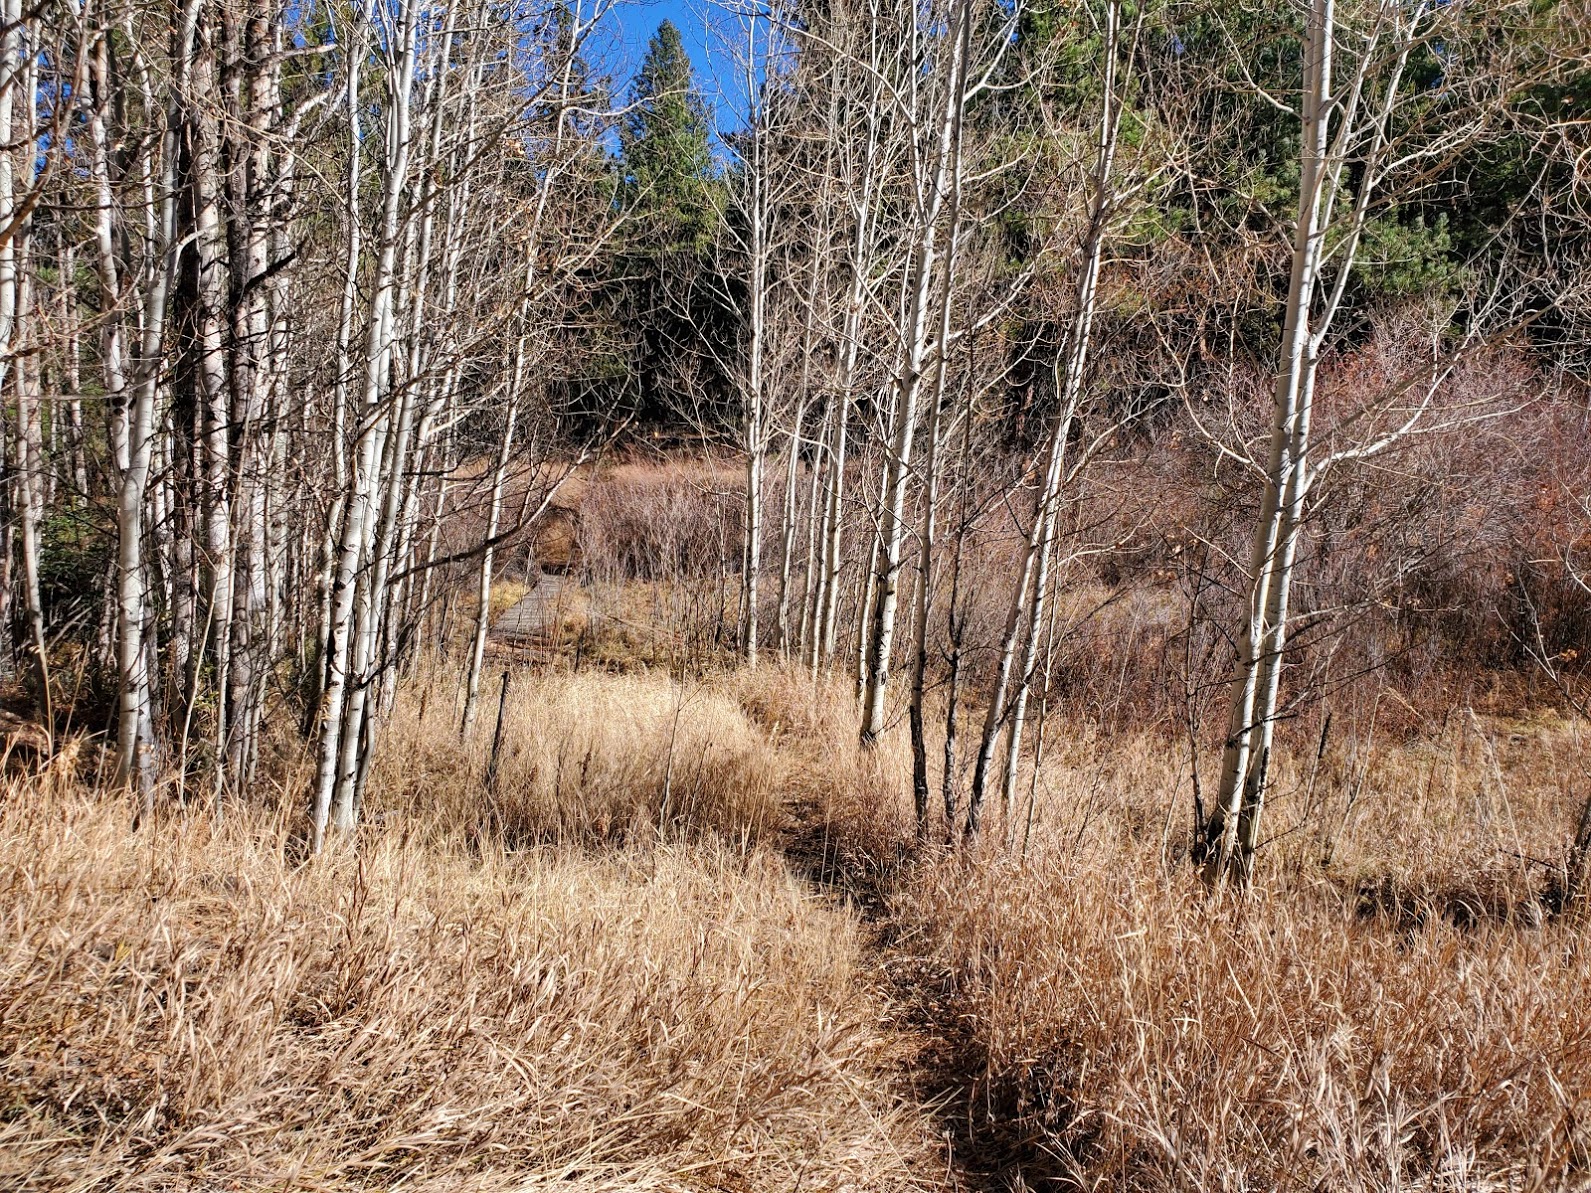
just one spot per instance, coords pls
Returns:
(184, 1008)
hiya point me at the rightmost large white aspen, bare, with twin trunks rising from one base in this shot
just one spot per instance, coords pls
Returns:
(1355, 157)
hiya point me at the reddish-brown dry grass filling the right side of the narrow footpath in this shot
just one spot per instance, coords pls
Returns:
(1110, 1025)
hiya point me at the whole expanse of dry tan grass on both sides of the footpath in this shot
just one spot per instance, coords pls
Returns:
(677, 936)
